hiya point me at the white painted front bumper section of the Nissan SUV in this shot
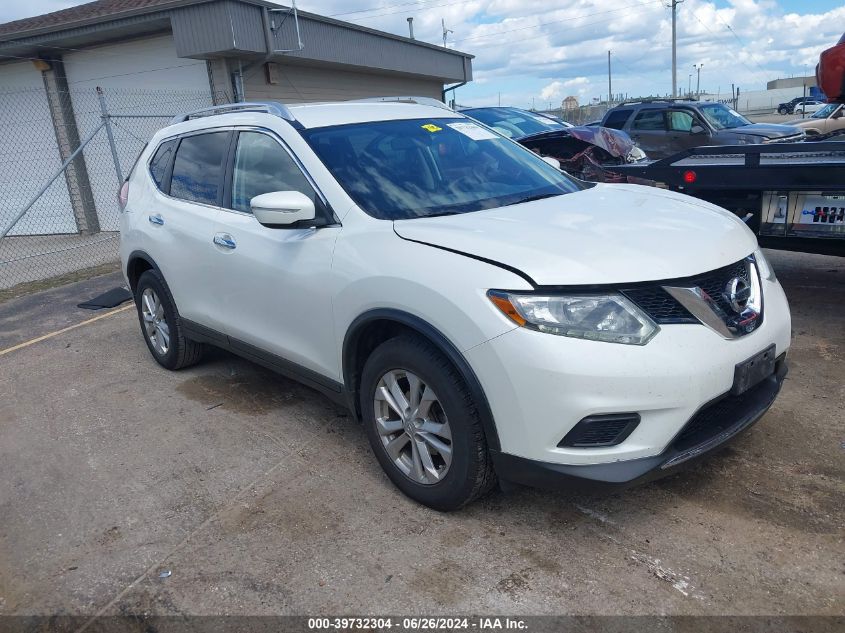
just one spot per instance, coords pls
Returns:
(540, 386)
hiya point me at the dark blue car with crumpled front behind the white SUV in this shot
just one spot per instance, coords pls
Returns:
(582, 151)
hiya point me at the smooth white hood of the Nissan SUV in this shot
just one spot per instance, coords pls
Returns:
(607, 234)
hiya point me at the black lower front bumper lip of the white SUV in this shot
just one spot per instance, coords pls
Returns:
(710, 429)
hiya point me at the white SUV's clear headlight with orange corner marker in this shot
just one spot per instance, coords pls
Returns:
(608, 317)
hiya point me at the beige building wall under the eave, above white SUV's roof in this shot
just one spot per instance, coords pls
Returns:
(299, 84)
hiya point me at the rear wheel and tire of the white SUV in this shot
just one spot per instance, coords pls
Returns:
(161, 325)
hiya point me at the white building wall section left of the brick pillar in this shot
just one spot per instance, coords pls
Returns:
(29, 155)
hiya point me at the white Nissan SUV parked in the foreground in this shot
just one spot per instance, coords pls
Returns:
(483, 313)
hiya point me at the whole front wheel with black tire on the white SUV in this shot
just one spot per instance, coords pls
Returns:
(423, 425)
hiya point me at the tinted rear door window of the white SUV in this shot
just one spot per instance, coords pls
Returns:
(198, 168)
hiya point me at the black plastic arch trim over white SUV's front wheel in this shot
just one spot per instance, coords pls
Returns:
(374, 327)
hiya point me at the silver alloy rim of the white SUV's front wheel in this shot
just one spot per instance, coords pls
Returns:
(413, 426)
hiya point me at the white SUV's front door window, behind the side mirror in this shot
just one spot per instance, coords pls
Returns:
(262, 165)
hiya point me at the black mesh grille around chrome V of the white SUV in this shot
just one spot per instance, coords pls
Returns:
(663, 308)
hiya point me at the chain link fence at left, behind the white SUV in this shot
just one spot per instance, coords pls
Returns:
(62, 159)
